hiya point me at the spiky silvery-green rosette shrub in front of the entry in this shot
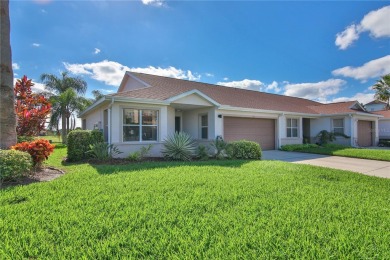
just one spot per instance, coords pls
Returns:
(179, 146)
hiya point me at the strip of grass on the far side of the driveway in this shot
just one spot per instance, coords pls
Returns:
(372, 154)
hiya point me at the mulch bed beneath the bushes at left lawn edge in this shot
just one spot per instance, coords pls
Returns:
(44, 174)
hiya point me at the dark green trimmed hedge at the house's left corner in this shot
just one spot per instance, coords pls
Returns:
(79, 142)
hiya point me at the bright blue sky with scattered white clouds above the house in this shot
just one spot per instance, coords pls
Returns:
(327, 51)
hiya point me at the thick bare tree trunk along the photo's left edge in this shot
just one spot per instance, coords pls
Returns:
(7, 112)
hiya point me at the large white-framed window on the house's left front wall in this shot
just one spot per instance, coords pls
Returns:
(140, 125)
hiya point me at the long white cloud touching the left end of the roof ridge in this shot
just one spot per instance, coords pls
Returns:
(111, 72)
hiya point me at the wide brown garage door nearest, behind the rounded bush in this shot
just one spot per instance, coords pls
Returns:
(261, 131)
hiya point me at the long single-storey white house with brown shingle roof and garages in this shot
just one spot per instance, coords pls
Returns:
(147, 108)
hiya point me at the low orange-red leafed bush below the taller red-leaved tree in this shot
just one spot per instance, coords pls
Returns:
(39, 150)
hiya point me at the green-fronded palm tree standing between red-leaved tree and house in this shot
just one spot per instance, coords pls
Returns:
(64, 90)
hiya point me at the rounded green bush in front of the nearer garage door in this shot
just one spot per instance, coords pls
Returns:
(244, 149)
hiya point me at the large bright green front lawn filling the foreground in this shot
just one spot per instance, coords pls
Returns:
(213, 209)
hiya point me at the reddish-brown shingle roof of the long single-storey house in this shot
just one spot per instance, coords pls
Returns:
(163, 88)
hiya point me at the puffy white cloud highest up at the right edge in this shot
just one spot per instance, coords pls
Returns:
(376, 23)
